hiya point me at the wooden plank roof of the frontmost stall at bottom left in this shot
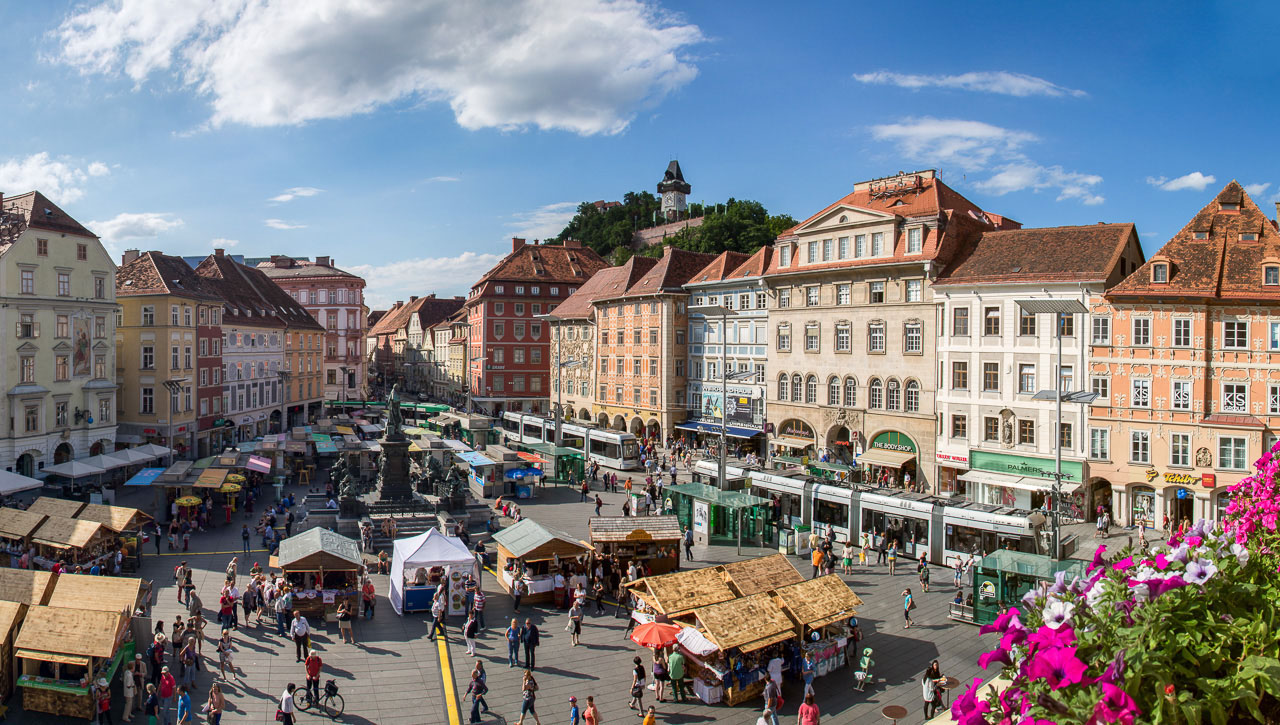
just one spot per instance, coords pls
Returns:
(62, 632)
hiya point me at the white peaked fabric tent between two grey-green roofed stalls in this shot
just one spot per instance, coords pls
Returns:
(423, 564)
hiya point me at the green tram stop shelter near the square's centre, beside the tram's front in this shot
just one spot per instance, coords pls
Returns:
(723, 517)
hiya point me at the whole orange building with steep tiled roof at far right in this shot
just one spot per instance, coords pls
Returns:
(1186, 361)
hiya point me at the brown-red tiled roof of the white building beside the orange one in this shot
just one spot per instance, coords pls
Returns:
(1050, 254)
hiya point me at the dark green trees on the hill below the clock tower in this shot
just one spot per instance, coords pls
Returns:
(735, 226)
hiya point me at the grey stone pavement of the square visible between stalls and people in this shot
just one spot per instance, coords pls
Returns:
(394, 676)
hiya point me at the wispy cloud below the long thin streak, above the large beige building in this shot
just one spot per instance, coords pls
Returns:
(967, 144)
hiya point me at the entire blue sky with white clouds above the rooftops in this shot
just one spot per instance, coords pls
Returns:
(412, 139)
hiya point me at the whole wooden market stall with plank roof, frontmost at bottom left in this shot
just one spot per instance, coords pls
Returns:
(61, 653)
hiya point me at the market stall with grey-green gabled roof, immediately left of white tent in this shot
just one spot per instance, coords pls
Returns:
(323, 568)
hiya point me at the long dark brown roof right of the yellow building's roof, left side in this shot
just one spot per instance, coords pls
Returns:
(252, 298)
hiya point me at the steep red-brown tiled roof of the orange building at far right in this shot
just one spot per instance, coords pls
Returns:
(1220, 267)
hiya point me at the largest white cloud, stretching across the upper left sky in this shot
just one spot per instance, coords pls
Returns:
(582, 66)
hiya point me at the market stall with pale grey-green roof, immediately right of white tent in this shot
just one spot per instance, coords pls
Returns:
(537, 554)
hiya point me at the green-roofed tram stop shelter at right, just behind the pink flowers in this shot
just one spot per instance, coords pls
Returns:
(1003, 578)
